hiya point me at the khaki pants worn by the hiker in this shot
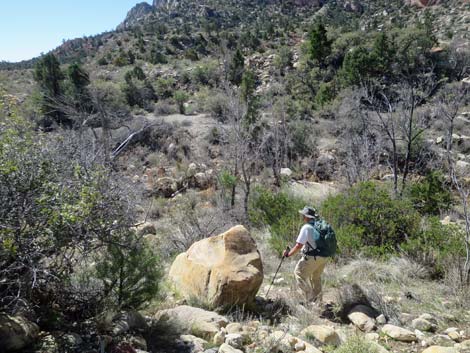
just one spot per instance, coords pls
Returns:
(308, 276)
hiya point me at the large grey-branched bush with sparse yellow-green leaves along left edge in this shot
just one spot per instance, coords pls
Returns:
(60, 213)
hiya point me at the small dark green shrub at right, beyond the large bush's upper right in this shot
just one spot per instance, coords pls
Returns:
(431, 196)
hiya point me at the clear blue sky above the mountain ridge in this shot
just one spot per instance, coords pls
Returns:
(29, 27)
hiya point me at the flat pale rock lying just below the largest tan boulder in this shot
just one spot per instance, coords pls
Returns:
(201, 323)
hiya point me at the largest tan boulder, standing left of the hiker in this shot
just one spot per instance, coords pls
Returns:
(220, 270)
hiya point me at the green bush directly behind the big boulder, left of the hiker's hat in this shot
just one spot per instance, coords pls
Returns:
(278, 211)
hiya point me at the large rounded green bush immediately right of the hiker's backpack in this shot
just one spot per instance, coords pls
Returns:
(367, 219)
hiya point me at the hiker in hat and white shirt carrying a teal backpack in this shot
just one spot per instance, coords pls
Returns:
(316, 250)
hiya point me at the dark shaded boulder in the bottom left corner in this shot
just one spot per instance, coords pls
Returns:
(16, 332)
